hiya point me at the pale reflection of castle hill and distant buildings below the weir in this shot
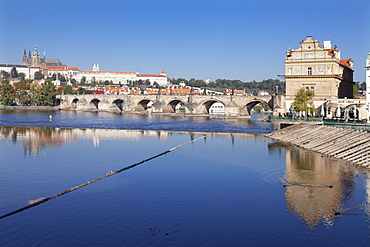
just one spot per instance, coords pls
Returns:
(35, 139)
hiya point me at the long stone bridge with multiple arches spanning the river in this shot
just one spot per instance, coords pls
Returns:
(235, 106)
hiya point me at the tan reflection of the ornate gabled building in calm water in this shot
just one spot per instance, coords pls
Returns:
(316, 187)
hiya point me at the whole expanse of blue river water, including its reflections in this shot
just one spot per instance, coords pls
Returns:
(231, 188)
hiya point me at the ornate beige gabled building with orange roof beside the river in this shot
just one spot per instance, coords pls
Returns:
(319, 68)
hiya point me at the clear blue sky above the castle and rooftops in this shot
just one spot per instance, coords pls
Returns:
(202, 39)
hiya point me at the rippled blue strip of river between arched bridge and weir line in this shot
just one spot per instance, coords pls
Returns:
(103, 120)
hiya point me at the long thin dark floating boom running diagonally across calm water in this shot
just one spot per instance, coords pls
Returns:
(110, 173)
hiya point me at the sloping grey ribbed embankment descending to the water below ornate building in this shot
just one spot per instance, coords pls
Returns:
(347, 144)
